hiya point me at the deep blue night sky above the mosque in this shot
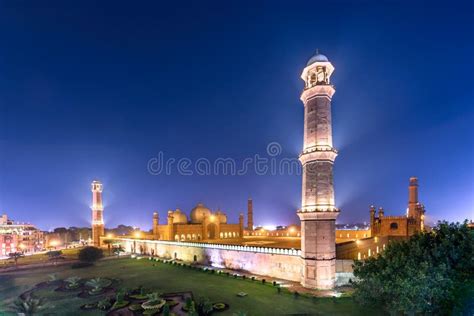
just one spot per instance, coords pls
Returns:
(94, 90)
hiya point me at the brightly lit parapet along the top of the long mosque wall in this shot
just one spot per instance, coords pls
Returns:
(276, 251)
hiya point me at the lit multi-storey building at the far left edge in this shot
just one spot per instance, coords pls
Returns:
(19, 237)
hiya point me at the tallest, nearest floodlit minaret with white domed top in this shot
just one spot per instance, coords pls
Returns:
(318, 211)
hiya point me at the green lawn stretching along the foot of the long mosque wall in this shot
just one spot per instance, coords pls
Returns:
(261, 299)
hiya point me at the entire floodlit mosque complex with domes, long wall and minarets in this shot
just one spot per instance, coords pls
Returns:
(320, 256)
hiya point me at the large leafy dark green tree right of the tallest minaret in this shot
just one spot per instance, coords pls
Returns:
(419, 275)
